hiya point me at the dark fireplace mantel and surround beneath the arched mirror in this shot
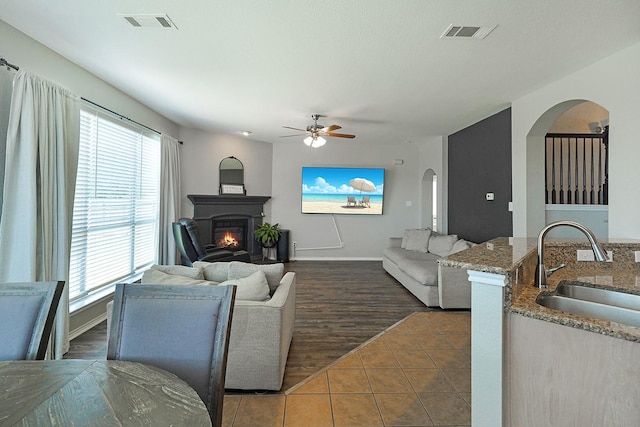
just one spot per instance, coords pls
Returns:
(209, 208)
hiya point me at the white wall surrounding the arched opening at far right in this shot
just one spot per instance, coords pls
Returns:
(612, 83)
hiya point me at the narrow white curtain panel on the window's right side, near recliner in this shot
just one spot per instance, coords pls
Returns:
(169, 198)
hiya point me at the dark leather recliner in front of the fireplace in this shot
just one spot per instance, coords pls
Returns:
(188, 242)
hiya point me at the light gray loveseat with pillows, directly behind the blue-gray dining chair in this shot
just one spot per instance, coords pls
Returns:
(263, 316)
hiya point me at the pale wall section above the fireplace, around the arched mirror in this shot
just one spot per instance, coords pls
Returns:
(200, 156)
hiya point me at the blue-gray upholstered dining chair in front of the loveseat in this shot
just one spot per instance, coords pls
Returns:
(183, 329)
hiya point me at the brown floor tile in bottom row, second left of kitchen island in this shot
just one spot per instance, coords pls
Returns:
(402, 410)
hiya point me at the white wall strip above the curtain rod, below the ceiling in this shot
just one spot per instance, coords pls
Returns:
(23, 51)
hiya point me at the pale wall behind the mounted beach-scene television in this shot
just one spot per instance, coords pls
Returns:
(364, 236)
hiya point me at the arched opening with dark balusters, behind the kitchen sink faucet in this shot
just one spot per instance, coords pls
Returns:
(575, 118)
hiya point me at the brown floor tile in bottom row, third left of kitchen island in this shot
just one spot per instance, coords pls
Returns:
(350, 410)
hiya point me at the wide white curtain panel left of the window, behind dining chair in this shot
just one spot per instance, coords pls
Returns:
(39, 186)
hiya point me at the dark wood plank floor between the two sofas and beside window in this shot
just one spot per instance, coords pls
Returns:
(340, 305)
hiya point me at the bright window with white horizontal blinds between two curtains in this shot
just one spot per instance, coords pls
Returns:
(115, 213)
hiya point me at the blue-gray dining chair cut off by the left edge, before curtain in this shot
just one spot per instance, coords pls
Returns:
(27, 311)
